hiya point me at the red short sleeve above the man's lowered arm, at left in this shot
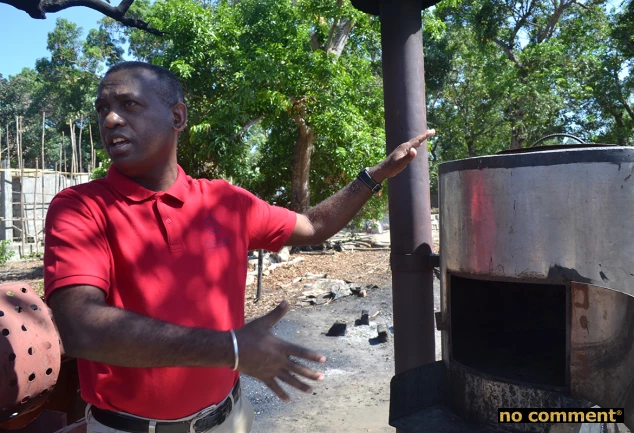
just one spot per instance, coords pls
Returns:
(76, 250)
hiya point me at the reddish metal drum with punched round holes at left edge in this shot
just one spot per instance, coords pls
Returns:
(30, 353)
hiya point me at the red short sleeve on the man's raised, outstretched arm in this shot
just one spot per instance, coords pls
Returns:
(268, 226)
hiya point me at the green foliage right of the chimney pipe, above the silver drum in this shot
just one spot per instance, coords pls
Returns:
(520, 70)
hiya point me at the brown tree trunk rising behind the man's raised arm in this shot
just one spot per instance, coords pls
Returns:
(300, 184)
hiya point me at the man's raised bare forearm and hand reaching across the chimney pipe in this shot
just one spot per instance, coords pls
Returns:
(331, 215)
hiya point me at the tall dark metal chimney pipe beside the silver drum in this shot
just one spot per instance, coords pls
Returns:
(410, 213)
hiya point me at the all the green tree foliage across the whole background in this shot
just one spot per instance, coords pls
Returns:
(259, 74)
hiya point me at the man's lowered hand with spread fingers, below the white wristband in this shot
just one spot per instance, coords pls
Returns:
(268, 358)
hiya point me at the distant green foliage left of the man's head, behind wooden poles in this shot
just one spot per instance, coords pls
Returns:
(63, 86)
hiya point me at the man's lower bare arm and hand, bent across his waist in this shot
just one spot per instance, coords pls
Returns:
(92, 330)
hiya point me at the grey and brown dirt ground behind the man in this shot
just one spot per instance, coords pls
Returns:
(354, 396)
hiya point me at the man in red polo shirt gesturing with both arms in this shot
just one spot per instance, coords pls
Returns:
(145, 271)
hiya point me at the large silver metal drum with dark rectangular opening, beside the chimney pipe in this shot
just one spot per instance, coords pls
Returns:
(537, 264)
